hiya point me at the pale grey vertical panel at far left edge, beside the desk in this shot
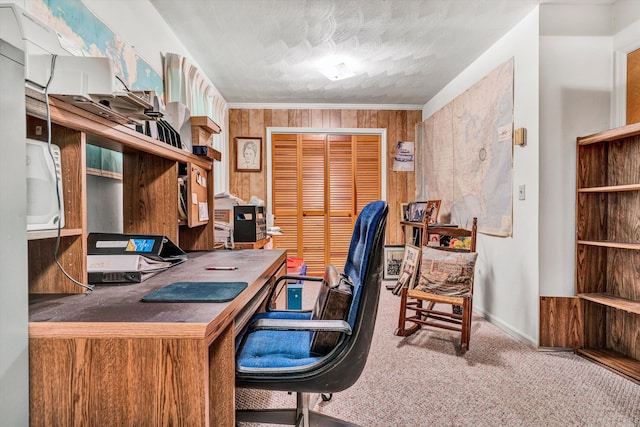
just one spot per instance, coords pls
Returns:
(14, 344)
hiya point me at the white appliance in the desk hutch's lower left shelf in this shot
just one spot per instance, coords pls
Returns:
(44, 186)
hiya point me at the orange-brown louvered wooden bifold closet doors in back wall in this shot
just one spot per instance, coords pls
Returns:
(320, 184)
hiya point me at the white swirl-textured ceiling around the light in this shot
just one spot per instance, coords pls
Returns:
(402, 51)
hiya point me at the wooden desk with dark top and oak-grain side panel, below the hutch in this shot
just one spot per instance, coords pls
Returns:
(105, 358)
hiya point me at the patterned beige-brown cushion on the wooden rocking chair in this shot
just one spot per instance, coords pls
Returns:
(446, 273)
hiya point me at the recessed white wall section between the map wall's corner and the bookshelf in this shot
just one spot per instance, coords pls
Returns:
(576, 75)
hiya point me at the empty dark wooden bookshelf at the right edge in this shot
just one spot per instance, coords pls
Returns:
(608, 247)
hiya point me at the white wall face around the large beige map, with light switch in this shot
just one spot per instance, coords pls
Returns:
(506, 284)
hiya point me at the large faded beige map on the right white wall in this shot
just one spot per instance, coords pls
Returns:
(467, 155)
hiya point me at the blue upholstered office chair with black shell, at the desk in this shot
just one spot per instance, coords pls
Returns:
(274, 351)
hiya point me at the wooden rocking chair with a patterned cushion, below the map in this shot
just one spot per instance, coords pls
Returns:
(445, 277)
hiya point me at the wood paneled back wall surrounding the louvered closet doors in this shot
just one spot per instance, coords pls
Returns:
(400, 126)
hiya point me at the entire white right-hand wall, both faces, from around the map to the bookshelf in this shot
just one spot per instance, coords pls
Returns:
(569, 81)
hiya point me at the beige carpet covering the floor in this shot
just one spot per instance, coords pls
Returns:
(423, 381)
